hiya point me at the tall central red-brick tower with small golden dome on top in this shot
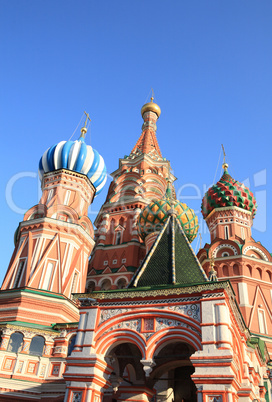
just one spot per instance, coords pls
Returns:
(141, 177)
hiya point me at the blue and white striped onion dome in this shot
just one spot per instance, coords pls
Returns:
(76, 156)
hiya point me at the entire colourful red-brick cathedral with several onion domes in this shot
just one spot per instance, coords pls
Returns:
(126, 311)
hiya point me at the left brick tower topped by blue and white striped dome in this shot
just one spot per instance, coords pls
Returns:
(55, 239)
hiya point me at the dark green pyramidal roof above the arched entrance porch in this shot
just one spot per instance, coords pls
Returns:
(170, 261)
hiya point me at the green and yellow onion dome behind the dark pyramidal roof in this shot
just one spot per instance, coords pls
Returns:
(154, 215)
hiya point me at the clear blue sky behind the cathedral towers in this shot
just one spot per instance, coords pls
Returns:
(209, 63)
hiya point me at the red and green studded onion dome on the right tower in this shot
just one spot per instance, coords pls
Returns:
(228, 192)
